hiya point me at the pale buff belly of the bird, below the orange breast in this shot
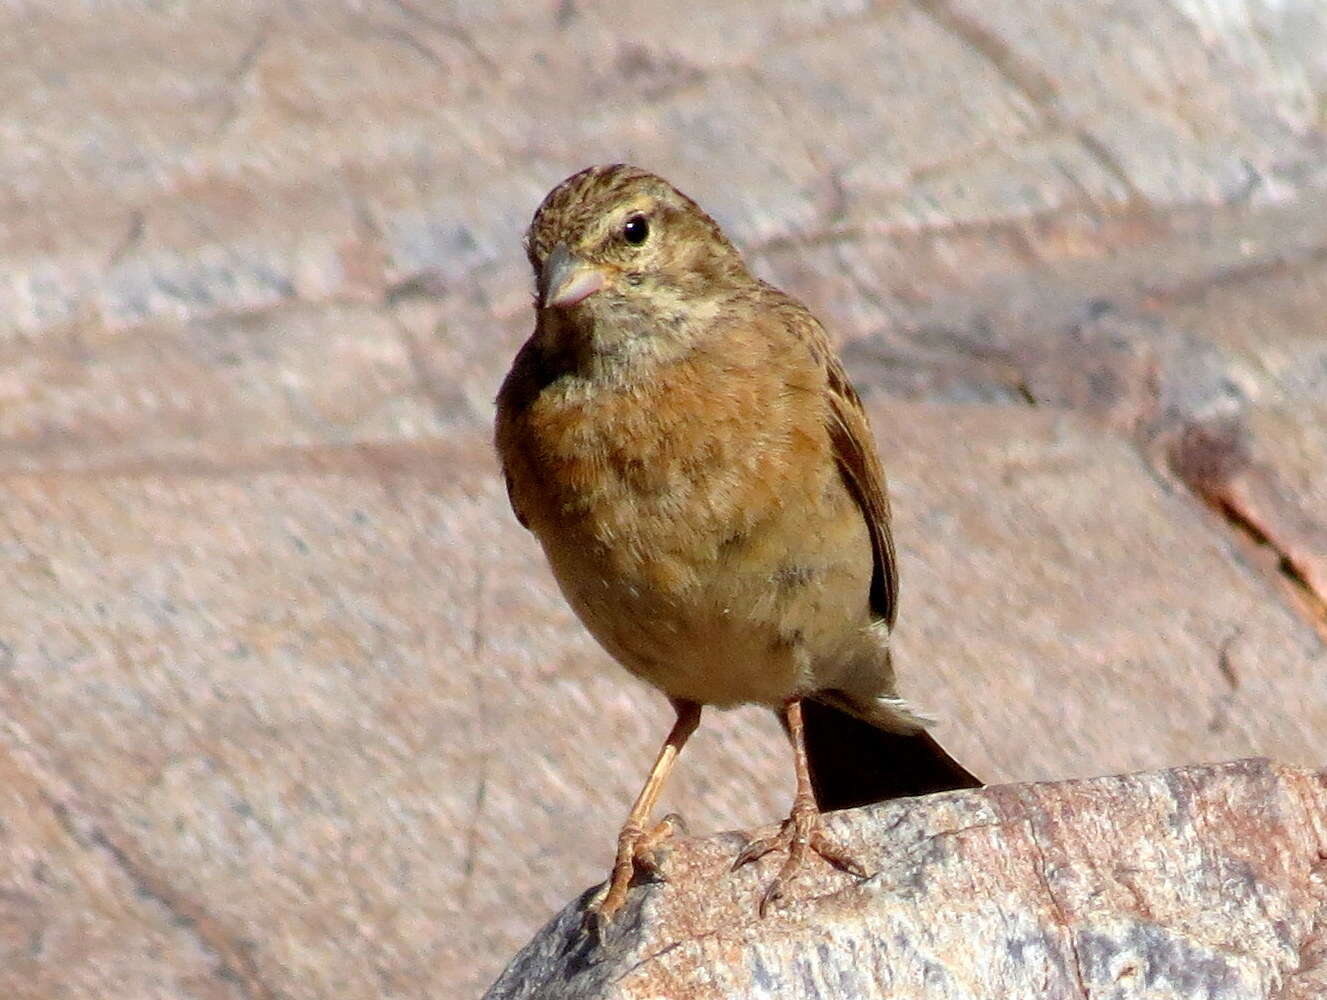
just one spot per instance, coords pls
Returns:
(746, 623)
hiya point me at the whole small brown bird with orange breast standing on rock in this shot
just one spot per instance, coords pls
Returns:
(683, 441)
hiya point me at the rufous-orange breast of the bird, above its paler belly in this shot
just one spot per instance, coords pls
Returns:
(662, 478)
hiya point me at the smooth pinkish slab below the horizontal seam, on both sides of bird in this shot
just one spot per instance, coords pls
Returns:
(354, 661)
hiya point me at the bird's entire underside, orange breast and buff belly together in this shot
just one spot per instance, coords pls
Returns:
(685, 517)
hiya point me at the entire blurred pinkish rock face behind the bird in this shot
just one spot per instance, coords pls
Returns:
(290, 706)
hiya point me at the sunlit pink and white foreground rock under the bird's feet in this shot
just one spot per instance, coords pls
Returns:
(1196, 883)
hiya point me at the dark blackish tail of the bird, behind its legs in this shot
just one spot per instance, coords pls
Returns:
(854, 763)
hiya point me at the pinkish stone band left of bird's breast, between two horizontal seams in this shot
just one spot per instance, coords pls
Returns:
(197, 389)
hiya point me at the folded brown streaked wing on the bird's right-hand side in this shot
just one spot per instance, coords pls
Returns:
(855, 452)
